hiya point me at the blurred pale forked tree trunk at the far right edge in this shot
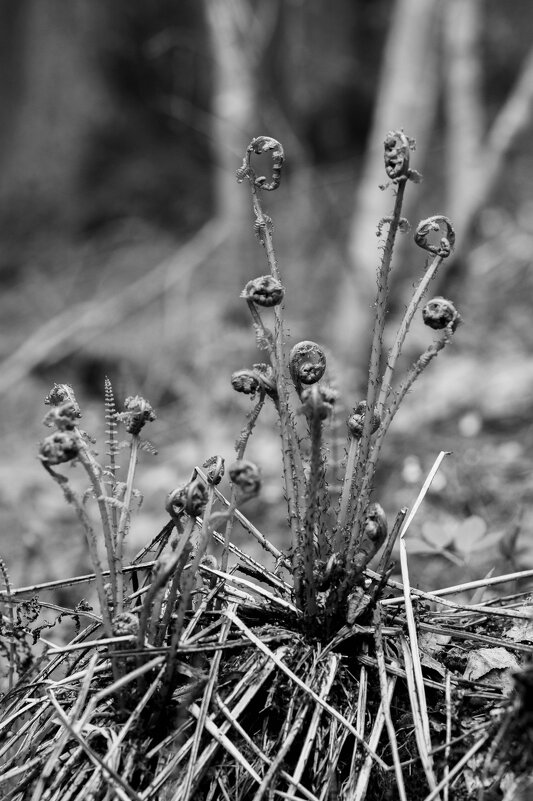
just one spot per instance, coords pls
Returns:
(475, 160)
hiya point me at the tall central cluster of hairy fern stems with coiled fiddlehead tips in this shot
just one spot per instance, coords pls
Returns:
(328, 565)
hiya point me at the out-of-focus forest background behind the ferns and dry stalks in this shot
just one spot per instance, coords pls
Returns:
(125, 242)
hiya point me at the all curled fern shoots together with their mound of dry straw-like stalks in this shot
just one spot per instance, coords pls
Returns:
(206, 680)
